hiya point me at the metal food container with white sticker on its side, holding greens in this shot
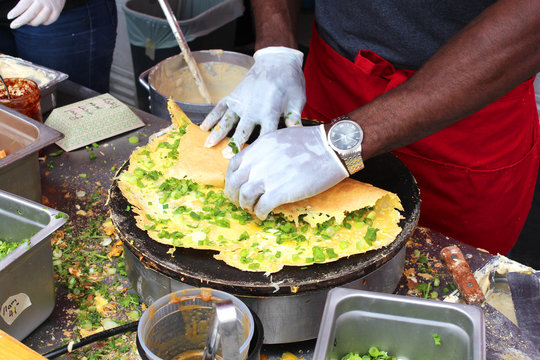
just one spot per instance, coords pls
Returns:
(26, 274)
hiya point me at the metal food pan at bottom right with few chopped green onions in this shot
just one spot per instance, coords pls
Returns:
(403, 326)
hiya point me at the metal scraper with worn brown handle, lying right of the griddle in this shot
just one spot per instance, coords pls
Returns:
(504, 339)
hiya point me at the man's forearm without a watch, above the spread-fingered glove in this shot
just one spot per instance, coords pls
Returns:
(275, 22)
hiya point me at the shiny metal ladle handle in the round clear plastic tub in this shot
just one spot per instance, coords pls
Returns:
(223, 328)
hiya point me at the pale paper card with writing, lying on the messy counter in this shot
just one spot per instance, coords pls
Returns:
(92, 120)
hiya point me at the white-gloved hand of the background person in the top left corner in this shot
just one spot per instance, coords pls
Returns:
(35, 12)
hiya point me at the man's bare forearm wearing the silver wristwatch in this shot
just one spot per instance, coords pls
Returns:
(489, 57)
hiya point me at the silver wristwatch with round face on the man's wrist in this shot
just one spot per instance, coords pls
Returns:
(345, 138)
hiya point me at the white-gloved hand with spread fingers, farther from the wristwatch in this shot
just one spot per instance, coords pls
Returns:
(274, 86)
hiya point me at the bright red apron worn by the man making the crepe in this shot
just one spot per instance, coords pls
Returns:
(476, 177)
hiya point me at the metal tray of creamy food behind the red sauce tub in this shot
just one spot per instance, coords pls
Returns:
(47, 79)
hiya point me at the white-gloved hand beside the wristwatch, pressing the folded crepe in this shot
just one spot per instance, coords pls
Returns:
(281, 167)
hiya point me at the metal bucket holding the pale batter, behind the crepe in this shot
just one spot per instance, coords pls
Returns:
(154, 78)
